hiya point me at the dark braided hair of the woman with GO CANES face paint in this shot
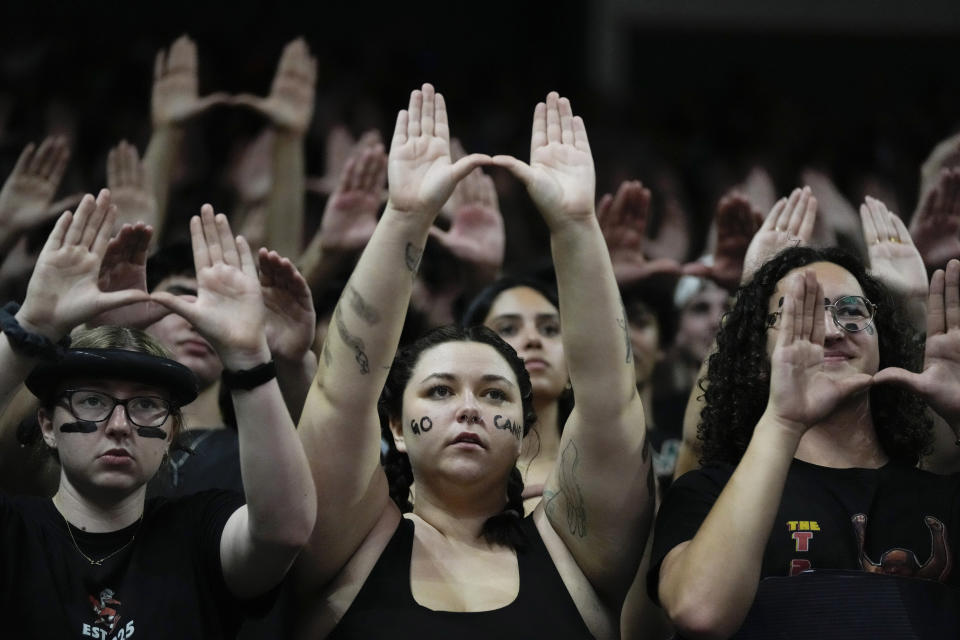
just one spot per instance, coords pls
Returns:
(503, 528)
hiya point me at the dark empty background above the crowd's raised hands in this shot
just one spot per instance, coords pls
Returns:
(862, 89)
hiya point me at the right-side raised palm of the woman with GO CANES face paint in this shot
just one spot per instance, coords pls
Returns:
(560, 177)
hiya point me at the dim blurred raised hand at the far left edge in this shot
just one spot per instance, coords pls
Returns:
(29, 189)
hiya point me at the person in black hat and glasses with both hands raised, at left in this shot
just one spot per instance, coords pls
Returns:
(98, 560)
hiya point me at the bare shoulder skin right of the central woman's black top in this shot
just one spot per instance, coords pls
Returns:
(601, 622)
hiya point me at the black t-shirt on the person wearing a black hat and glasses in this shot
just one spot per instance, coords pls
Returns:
(167, 583)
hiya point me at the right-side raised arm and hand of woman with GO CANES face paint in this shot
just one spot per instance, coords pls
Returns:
(599, 497)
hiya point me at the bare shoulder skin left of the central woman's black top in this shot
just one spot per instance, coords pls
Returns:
(322, 611)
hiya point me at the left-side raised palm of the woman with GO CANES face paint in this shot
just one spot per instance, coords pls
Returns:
(420, 172)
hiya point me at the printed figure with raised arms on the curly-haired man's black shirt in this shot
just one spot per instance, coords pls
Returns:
(903, 562)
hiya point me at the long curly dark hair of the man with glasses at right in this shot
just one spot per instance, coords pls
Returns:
(738, 376)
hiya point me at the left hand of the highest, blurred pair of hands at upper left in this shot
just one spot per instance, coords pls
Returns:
(174, 99)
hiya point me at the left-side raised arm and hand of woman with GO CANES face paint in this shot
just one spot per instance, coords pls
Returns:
(340, 428)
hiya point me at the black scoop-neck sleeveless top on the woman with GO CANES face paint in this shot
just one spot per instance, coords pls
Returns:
(385, 607)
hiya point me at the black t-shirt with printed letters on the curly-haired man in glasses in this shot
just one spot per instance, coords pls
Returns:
(896, 520)
